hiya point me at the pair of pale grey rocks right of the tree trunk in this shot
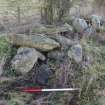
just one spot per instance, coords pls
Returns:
(82, 26)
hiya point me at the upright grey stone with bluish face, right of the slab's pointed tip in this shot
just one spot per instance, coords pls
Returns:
(76, 53)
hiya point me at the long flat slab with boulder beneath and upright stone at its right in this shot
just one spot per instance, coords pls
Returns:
(32, 46)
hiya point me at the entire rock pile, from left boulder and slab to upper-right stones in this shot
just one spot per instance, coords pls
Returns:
(33, 47)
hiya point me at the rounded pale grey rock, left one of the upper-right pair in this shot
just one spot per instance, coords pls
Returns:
(80, 25)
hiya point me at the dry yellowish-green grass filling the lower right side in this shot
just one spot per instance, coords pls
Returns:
(92, 78)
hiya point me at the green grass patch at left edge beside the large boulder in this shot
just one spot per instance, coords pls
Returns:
(6, 51)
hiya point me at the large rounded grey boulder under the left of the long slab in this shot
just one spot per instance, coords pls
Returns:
(25, 59)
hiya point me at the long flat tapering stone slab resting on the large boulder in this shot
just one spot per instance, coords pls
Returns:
(41, 42)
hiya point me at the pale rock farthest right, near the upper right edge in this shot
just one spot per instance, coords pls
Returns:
(96, 21)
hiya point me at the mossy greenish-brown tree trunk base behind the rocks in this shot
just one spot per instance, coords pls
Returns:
(52, 8)
